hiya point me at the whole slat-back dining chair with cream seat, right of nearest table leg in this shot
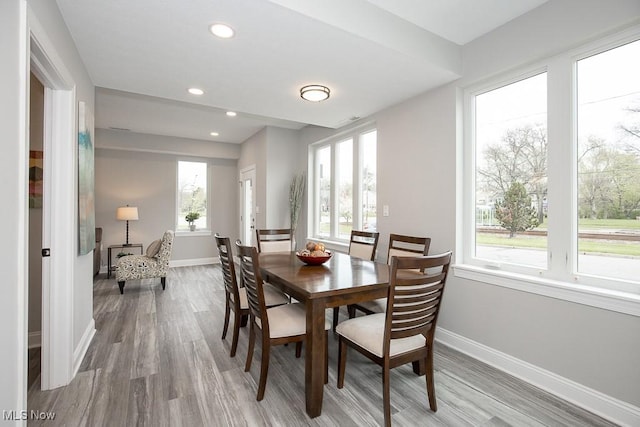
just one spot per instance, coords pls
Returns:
(405, 332)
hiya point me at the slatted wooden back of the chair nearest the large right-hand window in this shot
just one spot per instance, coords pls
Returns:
(414, 298)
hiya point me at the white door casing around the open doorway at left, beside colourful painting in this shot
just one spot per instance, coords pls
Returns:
(59, 216)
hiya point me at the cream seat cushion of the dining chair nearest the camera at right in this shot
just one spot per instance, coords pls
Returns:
(368, 333)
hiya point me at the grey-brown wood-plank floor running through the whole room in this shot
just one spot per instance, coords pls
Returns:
(157, 359)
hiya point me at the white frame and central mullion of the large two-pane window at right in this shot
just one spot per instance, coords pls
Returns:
(560, 279)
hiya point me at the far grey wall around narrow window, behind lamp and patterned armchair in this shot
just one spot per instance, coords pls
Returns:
(148, 180)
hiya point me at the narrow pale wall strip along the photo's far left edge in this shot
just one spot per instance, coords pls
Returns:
(13, 174)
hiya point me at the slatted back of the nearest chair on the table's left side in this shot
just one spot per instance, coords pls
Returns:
(252, 279)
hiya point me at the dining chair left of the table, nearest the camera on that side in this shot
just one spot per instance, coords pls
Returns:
(274, 326)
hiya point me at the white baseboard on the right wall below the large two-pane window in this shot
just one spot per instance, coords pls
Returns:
(615, 410)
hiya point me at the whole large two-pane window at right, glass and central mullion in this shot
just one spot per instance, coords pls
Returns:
(562, 205)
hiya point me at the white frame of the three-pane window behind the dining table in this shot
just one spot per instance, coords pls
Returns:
(313, 184)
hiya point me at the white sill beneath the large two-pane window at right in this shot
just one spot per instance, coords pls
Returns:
(621, 302)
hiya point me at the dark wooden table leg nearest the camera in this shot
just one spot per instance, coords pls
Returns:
(314, 356)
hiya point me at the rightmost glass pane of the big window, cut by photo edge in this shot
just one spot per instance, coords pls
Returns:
(609, 163)
